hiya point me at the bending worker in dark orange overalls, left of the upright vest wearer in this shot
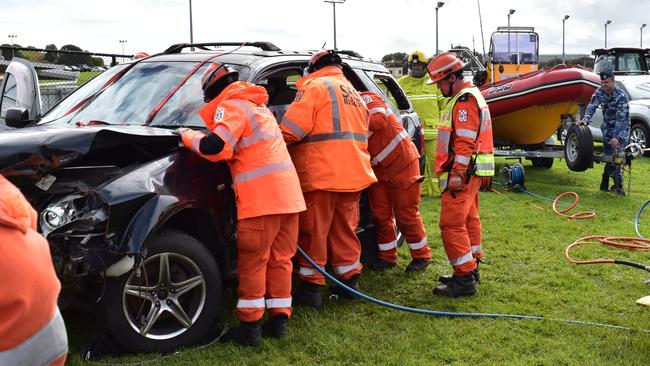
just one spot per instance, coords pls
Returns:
(397, 193)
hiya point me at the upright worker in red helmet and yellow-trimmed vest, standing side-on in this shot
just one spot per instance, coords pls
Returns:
(464, 164)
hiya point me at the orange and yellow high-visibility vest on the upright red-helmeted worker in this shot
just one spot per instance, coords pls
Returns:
(483, 158)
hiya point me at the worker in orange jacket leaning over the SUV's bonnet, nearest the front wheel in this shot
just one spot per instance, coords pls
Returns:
(268, 197)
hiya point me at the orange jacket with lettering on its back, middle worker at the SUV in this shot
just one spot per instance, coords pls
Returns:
(326, 129)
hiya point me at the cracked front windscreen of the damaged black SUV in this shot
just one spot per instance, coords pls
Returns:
(131, 98)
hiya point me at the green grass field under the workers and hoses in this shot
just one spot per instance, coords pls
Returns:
(525, 273)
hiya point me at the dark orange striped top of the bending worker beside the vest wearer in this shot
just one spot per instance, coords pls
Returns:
(389, 145)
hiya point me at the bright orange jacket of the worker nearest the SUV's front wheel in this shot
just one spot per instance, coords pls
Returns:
(265, 180)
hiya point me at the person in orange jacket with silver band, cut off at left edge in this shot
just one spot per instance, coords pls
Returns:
(32, 331)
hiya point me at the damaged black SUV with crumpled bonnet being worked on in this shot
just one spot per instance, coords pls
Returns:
(142, 231)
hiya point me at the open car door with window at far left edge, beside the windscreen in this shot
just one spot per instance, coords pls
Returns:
(19, 89)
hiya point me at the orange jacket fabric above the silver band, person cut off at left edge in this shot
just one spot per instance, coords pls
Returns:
(28, 284)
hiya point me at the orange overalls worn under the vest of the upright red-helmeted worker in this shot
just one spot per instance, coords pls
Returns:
(460, 224)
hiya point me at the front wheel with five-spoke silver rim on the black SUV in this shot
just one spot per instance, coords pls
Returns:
(191, 268)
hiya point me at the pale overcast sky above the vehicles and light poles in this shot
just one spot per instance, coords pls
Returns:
(371, 27)
